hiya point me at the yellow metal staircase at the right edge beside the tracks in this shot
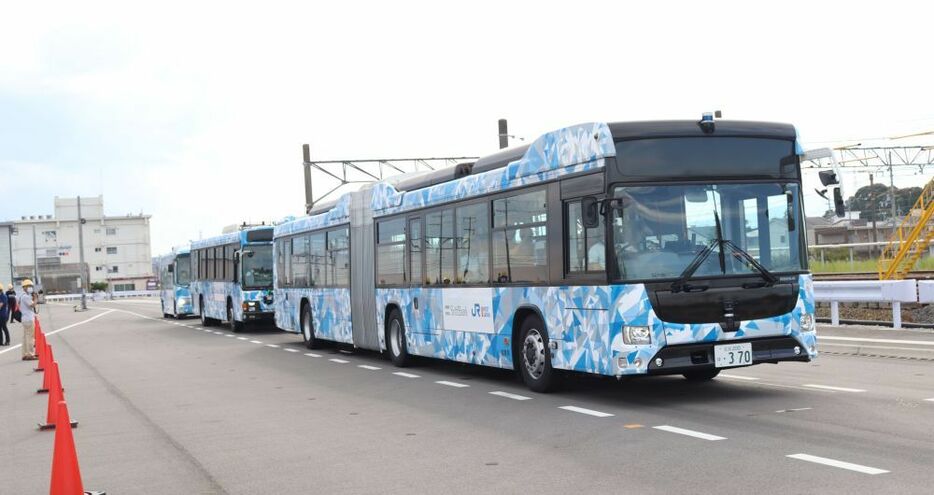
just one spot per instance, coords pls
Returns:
(910, 239)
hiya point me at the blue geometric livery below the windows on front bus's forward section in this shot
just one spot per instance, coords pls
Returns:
(585, 322)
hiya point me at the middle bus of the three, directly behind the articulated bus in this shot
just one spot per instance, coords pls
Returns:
(232, 277)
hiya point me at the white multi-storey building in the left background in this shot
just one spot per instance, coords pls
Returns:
(116, 248)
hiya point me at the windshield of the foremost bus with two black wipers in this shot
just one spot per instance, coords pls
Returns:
(658, 230)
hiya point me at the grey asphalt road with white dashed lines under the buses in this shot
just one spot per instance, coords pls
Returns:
(168, 407)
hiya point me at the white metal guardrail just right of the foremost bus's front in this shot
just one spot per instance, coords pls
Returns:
(889, 291)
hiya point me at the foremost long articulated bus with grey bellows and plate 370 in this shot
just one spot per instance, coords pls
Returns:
(620, 249)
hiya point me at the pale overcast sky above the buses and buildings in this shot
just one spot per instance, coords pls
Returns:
(196, 114)
